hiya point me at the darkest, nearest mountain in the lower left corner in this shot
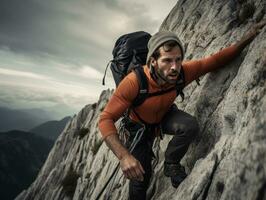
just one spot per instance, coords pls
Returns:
(22, 155)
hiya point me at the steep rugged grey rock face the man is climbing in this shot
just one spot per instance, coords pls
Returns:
(227, 160)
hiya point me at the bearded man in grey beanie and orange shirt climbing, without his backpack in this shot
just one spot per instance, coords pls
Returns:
(165, 67)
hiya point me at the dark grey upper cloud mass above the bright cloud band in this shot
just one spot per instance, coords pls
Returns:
(81, 31)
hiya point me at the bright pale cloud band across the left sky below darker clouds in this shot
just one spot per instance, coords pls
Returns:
(32, 89)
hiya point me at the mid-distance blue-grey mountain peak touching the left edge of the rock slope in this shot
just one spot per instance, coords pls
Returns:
(51, 129)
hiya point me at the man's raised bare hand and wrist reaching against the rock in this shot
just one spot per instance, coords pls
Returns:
(251, 34)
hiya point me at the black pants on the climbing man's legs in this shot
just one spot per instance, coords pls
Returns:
(183, 126)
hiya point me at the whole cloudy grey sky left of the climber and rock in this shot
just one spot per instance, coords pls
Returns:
(53, 53)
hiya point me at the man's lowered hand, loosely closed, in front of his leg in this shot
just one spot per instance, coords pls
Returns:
(131, 168)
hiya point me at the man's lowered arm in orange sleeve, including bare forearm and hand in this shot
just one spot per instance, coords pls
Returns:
(117, 105)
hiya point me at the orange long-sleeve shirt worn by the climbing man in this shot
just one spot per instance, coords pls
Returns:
(154, 108)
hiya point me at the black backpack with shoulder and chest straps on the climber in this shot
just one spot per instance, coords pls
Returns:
(130, 53)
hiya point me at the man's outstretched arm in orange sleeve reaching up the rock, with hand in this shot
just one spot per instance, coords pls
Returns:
(195, 68)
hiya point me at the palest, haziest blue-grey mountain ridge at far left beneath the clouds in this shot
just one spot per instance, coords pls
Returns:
(24, 119)
